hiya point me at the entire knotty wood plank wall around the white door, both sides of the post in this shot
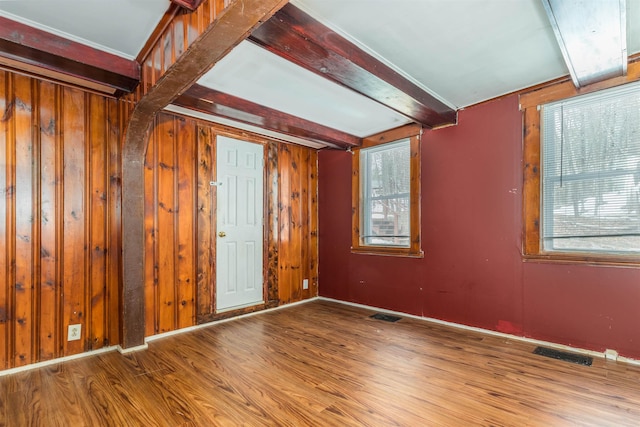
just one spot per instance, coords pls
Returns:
(60, 220)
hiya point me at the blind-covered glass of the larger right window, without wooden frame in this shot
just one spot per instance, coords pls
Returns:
(591, 173)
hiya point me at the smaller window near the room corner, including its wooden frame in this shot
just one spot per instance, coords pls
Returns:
(386, 197)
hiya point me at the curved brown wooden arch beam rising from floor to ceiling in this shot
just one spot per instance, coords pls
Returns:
(231, 27)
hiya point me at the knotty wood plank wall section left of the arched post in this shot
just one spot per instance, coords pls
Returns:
(59, 219)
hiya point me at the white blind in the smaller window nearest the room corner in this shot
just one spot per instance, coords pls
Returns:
(386, 194)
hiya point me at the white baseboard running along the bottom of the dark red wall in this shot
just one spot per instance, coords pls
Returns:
(592, 353)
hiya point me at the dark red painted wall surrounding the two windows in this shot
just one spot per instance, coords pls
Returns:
(473, 272)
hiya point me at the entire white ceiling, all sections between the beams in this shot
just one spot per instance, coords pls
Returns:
(461, 51)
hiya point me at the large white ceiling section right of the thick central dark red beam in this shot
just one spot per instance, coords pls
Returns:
(464, 51)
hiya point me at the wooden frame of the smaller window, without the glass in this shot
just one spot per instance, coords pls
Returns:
(413, 133)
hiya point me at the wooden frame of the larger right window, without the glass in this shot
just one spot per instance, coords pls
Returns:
(532, 179)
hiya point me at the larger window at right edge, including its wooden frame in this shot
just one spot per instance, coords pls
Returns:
(582, 172)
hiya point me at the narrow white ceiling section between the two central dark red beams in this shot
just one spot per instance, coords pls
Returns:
(252, 73)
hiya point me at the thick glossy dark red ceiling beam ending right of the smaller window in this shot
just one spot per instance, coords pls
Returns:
(299, 38)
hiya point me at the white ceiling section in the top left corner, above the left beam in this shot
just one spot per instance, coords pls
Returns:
(121, 27)
